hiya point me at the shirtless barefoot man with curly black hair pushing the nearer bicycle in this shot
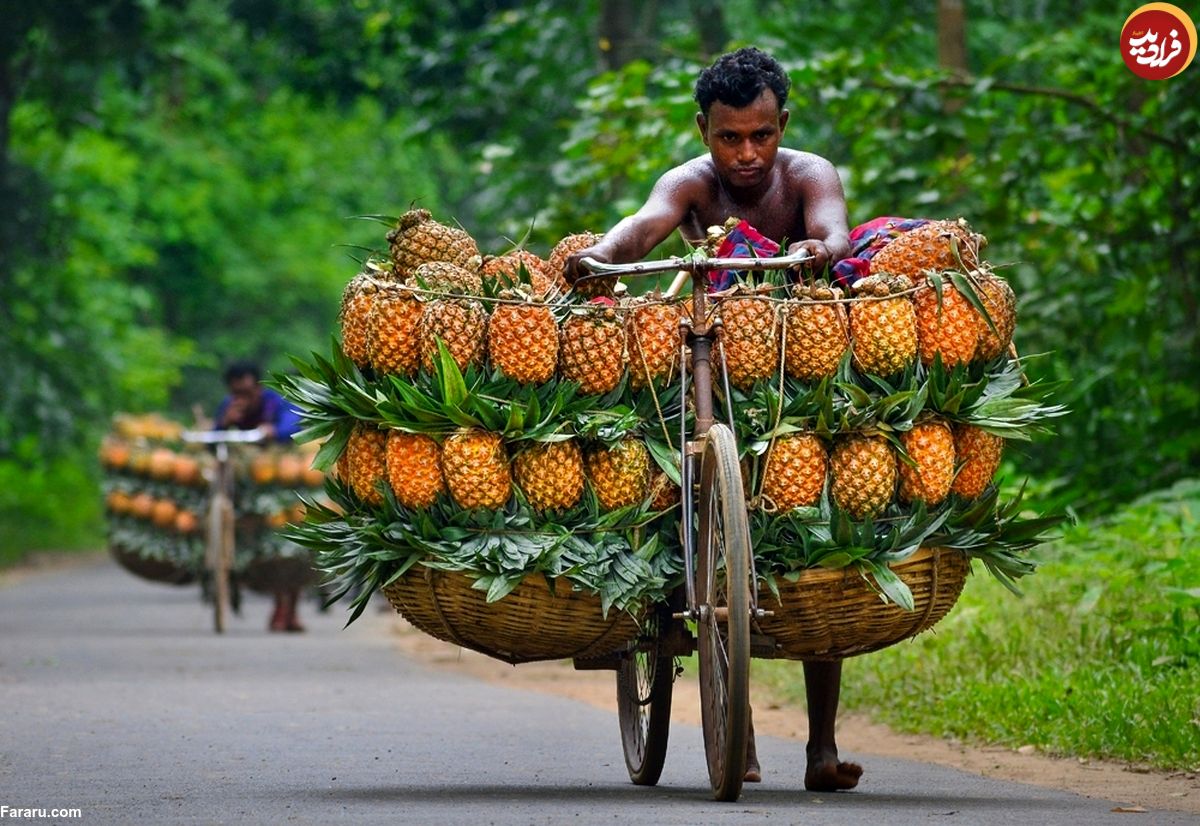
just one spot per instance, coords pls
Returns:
(783, 194)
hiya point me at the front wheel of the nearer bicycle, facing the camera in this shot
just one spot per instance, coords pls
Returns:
(724, 590)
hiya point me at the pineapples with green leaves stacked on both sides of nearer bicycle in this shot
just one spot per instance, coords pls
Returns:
(485, 418)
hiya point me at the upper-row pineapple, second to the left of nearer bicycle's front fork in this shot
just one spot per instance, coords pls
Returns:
(592, 349)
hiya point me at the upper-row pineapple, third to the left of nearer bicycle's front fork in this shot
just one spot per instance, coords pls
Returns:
(523, 342)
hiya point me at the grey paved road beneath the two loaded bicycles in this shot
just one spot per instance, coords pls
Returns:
(118, 699)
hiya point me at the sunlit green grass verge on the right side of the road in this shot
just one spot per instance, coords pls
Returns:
(1100, 659)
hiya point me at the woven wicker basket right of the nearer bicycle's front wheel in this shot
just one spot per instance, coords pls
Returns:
(830, 615)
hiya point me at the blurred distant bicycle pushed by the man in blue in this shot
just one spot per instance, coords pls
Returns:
(220, 540)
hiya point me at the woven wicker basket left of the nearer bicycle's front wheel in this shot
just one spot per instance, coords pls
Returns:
(532, 624)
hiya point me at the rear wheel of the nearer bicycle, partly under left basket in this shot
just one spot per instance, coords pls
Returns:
(645, 684)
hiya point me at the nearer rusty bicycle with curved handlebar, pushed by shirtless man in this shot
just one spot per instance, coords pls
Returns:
(721, 590)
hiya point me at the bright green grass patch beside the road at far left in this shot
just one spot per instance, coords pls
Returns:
(57, 508)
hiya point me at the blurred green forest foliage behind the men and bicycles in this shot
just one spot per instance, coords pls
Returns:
(178, 183)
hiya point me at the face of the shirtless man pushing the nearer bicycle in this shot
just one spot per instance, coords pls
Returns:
(745, 142)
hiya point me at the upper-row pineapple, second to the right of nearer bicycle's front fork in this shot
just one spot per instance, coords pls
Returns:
(817, 333)
